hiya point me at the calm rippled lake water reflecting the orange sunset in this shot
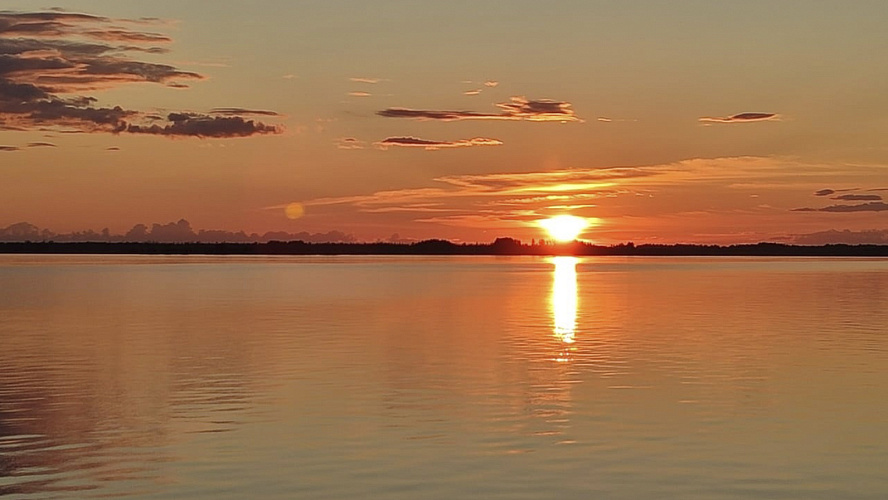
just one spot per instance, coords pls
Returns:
(450, 378)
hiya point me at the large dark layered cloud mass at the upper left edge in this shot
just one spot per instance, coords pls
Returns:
(47, 59)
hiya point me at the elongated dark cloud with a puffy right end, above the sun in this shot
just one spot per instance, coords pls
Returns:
(518, 108)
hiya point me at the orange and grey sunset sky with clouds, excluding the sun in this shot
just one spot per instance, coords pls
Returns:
(659, 122)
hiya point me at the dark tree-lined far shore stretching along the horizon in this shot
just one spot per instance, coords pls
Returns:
(502, 246)
